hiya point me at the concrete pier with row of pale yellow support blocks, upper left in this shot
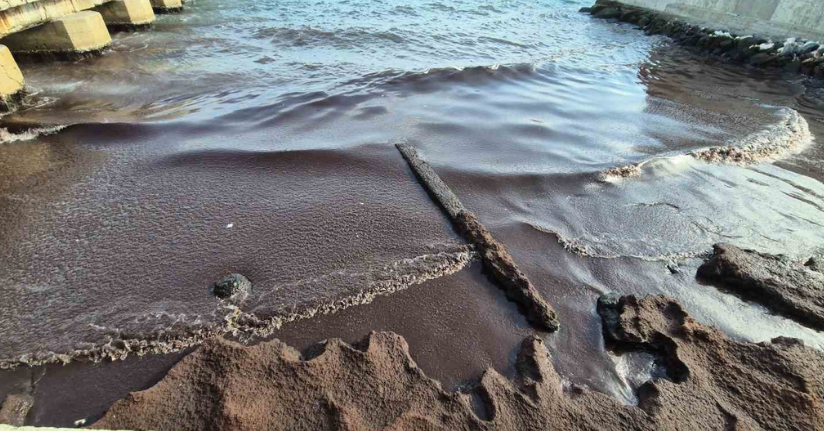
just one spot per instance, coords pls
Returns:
(63, 29)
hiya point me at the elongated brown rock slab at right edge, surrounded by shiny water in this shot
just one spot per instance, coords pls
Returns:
(781, 285)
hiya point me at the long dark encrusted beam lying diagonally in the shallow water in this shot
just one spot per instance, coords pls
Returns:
(497, 261)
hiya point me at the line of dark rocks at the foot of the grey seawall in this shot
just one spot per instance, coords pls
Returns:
(793, 54)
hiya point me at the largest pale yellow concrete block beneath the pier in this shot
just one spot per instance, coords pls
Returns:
(78, 33)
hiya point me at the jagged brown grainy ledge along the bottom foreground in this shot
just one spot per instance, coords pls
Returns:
(717, 384)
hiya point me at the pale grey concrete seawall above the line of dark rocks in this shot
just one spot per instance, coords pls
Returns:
(773, 18)
